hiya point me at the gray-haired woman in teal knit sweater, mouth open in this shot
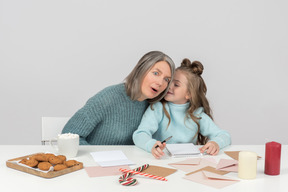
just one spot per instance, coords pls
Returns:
(111, 116)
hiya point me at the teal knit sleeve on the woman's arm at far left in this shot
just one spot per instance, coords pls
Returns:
(84, 121)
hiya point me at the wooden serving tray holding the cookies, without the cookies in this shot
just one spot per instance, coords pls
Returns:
(50, 174)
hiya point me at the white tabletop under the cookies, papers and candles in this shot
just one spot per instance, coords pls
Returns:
(79, 181)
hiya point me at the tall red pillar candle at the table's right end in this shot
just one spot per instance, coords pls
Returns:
(272, 158)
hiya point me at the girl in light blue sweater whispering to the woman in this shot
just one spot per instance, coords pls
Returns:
(185, 114)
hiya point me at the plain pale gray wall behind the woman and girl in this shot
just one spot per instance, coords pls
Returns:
(55, 54)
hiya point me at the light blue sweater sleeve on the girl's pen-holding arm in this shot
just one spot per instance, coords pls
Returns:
(142, 137)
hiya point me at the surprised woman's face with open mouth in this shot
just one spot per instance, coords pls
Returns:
(155, 81)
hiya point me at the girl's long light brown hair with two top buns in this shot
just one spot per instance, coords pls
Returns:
(197, 89)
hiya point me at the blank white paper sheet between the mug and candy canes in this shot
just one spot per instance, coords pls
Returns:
(111, 158)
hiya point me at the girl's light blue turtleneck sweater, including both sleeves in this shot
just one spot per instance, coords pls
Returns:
(153, 127)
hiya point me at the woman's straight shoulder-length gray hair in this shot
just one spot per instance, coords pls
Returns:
(134, 80)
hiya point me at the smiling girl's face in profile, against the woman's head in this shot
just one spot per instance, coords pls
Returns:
(178, 92)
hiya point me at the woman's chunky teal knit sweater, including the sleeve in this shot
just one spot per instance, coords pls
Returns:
(108, 118)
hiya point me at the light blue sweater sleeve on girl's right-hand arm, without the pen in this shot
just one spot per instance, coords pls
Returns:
(209, 129)
